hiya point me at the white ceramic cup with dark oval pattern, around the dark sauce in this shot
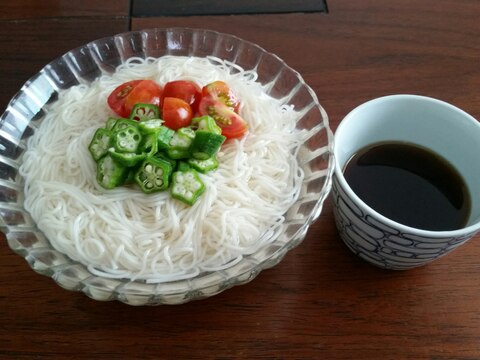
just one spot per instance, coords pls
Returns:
(434, 124)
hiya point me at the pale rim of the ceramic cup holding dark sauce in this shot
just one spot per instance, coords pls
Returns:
(389, 222)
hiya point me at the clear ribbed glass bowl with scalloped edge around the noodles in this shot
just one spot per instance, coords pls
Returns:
(82, 66)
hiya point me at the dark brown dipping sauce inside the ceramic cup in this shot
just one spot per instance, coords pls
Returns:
(410, 185)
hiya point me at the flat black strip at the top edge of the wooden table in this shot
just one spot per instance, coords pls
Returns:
(149, 8)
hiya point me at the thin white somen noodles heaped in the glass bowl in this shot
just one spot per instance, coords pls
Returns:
(123, 233)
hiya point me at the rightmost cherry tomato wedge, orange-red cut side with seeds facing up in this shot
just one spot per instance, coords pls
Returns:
(232, 124)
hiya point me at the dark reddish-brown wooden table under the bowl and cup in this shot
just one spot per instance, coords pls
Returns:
(320, 302)
